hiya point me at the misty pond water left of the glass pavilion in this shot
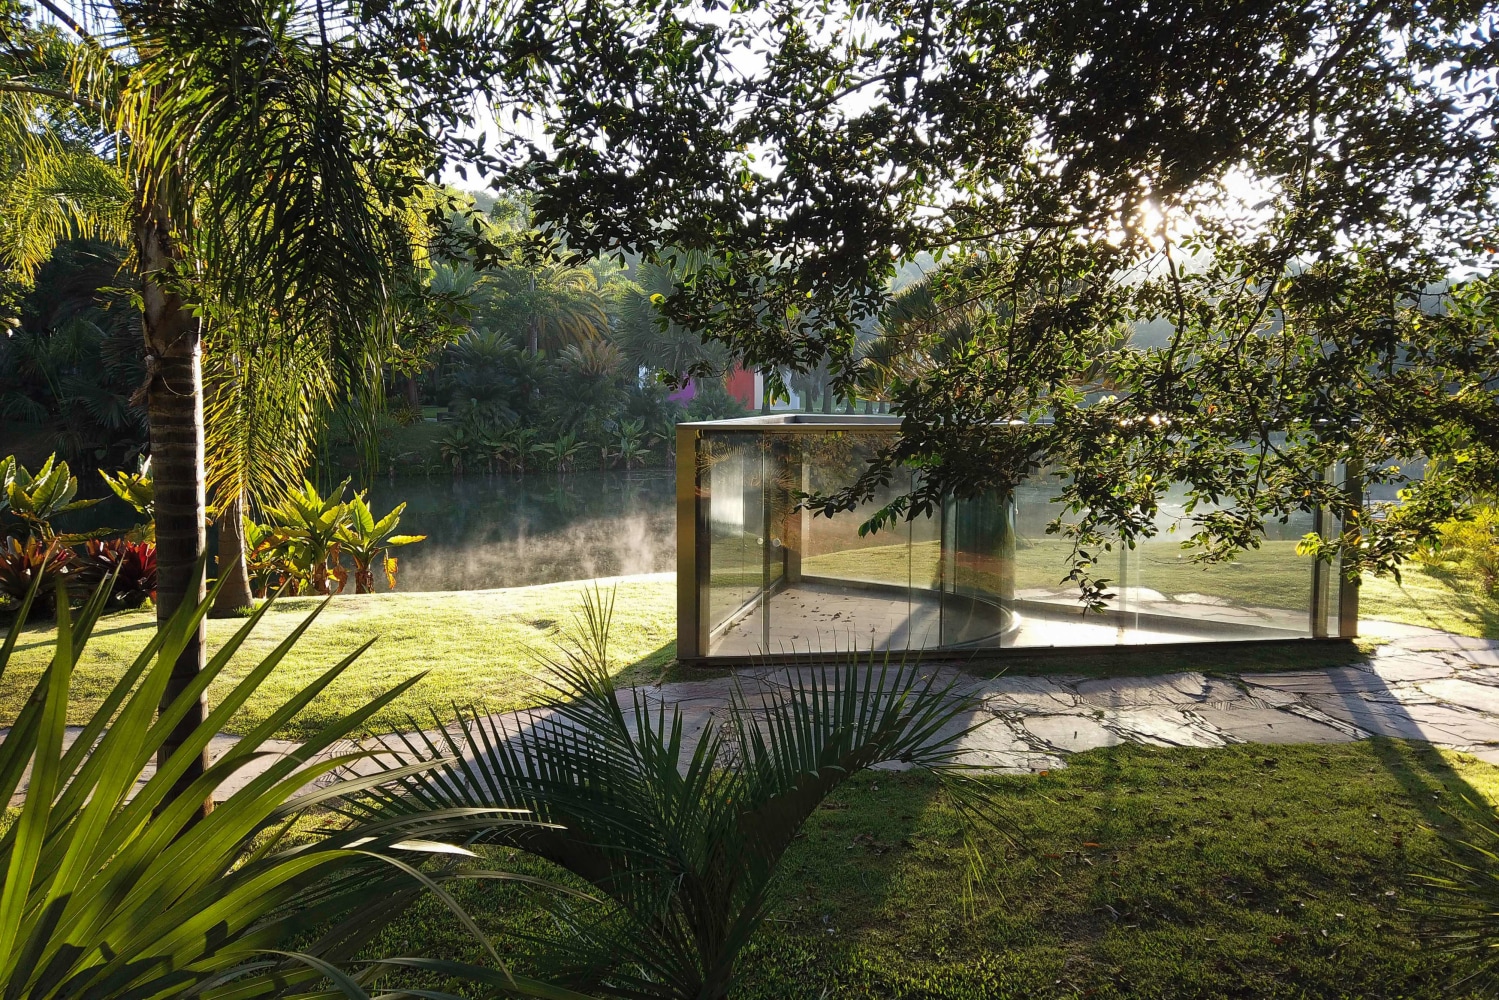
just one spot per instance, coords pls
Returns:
(542, 528)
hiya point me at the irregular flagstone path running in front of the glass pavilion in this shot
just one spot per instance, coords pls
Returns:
(1420, 684)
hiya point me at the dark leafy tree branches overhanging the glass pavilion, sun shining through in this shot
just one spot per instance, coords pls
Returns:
(1230, 245)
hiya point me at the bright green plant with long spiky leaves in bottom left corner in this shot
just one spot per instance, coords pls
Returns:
(116, 887)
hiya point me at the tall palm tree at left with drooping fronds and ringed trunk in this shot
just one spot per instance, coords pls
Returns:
(268, 164)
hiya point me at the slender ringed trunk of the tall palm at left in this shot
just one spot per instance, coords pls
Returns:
(175, 409)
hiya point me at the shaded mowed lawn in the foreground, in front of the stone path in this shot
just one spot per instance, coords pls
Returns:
(1134, 873)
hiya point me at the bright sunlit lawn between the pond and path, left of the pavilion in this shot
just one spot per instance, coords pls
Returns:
(476, 647)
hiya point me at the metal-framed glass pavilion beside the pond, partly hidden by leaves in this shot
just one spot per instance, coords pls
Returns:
(759, 575)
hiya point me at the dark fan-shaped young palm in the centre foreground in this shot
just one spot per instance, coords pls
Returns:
(681, 837)
